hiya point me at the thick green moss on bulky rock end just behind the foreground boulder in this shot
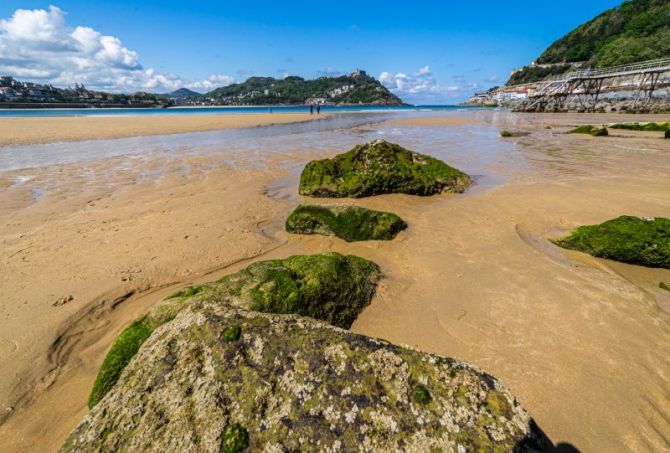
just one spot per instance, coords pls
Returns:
(330, 287)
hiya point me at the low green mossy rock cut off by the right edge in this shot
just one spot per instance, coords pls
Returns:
(627, 239)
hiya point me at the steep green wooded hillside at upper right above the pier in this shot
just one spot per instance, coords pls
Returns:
(637, 30)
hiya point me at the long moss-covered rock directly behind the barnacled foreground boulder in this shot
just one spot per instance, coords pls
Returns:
(331, 287)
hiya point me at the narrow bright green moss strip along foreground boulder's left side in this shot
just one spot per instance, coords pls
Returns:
(122, 351)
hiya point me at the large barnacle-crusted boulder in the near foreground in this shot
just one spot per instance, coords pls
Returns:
(292, 383)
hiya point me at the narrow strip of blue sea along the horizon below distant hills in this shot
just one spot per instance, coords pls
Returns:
(211, 110)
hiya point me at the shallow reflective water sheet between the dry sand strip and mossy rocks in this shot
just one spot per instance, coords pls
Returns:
(475, 149)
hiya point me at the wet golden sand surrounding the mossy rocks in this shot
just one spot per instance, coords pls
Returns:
(582, 342)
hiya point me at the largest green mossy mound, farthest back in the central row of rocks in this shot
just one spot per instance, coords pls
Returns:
(380, 167)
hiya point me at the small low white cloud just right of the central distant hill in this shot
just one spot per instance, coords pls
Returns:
(422, 87)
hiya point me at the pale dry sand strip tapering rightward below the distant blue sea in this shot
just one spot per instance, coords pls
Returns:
(20, 131)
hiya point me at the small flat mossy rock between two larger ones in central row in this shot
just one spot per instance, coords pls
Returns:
(350, 223)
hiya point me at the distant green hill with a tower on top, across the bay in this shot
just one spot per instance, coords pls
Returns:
(355, 88)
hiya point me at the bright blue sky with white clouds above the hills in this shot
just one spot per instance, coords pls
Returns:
(426, 51)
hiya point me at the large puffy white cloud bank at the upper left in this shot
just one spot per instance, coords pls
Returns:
(38, 45)
